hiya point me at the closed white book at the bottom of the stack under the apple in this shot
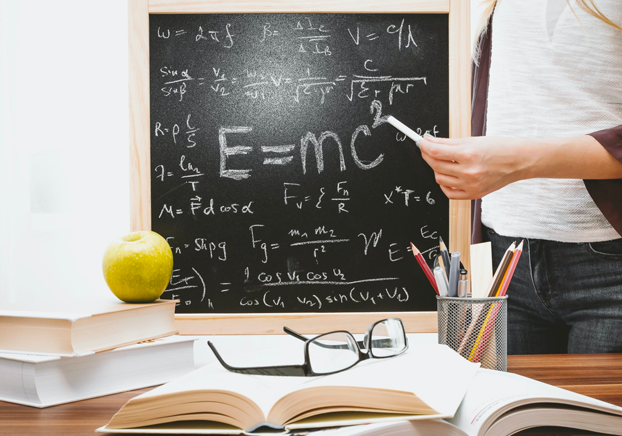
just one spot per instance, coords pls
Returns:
(42, 381)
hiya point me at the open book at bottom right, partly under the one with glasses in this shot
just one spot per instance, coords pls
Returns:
(502, 404)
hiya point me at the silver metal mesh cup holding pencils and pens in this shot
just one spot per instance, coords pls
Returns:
(476, 328)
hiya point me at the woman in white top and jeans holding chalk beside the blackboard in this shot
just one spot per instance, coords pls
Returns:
(548, 97)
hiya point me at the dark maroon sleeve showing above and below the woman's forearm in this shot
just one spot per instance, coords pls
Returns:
(607, 194)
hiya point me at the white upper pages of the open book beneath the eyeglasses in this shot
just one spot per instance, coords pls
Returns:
(435, 374)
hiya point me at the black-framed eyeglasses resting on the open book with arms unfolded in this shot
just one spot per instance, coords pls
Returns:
(336, 351)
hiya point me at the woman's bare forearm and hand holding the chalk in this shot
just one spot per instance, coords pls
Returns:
(470, 168)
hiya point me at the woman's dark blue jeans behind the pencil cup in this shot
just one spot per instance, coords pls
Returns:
(564, 297)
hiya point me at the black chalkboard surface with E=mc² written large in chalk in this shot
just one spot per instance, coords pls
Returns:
(274, 175)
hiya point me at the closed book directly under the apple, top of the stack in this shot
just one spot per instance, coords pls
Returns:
(77, 327)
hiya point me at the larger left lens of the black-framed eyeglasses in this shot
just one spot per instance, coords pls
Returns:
(332, 352)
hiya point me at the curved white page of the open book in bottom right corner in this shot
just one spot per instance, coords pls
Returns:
(493, 393)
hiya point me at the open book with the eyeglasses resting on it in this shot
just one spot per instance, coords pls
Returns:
(427, 382)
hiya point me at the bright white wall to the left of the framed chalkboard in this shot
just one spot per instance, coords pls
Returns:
(64, 147)
